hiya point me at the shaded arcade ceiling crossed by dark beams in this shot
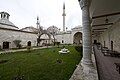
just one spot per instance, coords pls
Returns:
(104, 13)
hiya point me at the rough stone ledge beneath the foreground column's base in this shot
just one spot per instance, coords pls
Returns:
(90, 75)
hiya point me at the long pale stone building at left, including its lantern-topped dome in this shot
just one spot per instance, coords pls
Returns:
(9, 32)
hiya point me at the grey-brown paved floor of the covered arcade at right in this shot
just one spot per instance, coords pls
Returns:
(106, 67)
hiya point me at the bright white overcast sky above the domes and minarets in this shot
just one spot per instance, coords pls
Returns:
(23, 13)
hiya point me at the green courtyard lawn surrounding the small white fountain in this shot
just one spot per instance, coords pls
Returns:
(39, 64)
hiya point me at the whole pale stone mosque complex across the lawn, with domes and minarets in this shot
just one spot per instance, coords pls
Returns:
(36, 35)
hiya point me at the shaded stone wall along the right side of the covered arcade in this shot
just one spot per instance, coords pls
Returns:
(112, 34)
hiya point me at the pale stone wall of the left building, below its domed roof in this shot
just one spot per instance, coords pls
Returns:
(11, 35)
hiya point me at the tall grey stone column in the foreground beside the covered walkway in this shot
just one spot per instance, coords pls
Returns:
(87, 40)
